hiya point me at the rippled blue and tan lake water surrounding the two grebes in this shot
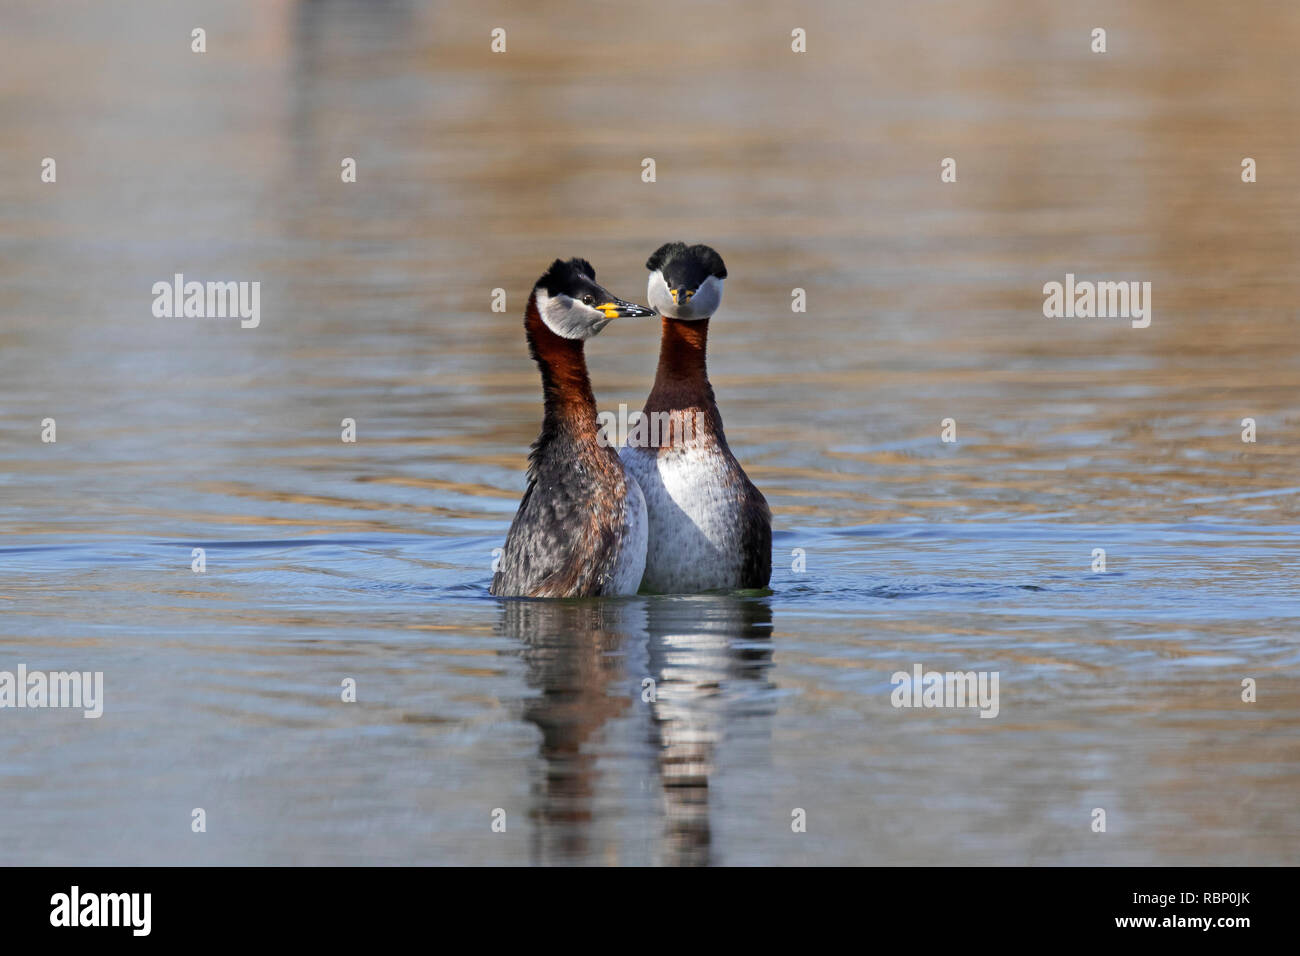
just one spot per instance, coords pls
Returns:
(371, 561)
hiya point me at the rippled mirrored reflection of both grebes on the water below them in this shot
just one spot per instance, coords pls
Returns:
(709, 659)
